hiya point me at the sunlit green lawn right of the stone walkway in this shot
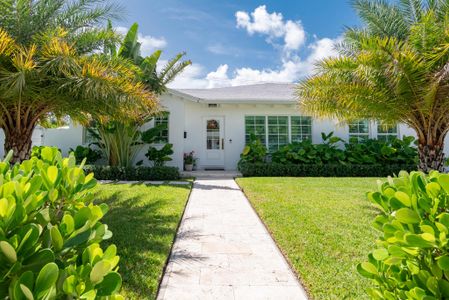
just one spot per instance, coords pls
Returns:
(323, 225)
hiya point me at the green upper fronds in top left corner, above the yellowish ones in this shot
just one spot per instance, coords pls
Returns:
(25, 20)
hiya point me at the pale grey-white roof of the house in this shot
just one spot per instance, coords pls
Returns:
(266, 92)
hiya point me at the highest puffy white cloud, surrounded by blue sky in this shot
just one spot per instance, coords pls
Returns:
(273, 25)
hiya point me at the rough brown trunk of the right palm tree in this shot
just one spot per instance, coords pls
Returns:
(431, 157)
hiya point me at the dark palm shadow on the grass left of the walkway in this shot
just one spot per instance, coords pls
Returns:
(143, 232)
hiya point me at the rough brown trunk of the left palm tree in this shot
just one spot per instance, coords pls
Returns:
(19, 142)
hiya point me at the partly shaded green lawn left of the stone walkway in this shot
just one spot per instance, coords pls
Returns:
(143, 220)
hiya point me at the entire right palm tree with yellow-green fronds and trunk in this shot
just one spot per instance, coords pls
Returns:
(394, 69)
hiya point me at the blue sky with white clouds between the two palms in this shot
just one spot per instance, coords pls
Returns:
(240, 42)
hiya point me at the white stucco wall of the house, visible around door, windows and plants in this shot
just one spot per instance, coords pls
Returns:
(188, 116)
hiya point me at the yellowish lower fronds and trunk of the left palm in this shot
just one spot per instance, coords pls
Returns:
(49, 78)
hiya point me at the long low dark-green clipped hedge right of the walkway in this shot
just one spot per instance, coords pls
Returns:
(327, 170)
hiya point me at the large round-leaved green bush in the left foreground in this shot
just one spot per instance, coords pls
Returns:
(50, 232)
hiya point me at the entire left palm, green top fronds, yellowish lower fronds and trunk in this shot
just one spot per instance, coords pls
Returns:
(45, 72)
